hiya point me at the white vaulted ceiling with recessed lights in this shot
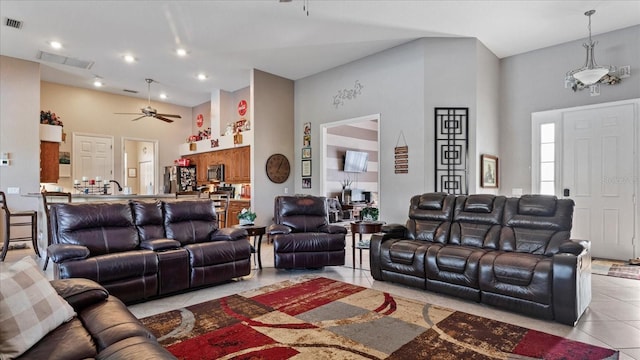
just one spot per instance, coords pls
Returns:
(224, 40)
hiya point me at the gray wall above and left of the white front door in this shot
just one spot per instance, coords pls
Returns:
(534, 81)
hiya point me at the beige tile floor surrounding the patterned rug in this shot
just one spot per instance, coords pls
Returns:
(612, 320)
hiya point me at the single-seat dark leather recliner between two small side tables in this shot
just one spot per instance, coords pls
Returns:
(302, 236)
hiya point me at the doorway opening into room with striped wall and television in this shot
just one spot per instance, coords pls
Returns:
(359, 137)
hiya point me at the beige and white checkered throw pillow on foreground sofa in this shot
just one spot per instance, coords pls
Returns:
(29, 308)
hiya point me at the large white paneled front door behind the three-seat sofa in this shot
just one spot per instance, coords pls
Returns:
(598, 171)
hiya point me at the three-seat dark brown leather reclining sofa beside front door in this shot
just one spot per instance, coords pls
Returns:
(513, 253)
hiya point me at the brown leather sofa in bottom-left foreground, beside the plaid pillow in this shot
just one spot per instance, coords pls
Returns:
(103, 329)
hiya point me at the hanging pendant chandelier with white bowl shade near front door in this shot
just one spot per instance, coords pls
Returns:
(591, 74)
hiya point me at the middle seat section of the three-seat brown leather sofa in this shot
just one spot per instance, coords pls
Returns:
(454, 268)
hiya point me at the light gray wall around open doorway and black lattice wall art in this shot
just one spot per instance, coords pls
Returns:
(404, 85)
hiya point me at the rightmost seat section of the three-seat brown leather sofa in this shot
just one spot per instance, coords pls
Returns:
(520, 275)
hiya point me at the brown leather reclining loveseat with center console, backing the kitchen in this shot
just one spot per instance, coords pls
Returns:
(141, 250)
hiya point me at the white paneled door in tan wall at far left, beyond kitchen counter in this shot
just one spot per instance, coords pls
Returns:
(93, 157)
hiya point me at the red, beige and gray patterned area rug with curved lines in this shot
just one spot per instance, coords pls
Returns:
(319, 318)
